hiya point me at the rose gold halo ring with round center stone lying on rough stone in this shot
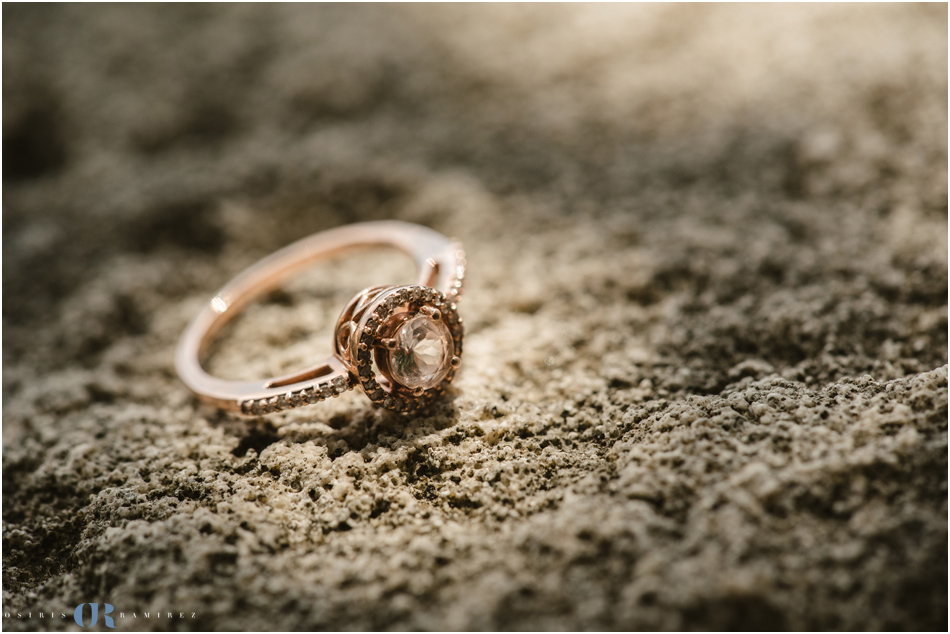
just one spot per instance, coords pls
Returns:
(401, 344)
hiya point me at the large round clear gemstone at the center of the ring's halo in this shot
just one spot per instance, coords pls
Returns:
(423, 353)
